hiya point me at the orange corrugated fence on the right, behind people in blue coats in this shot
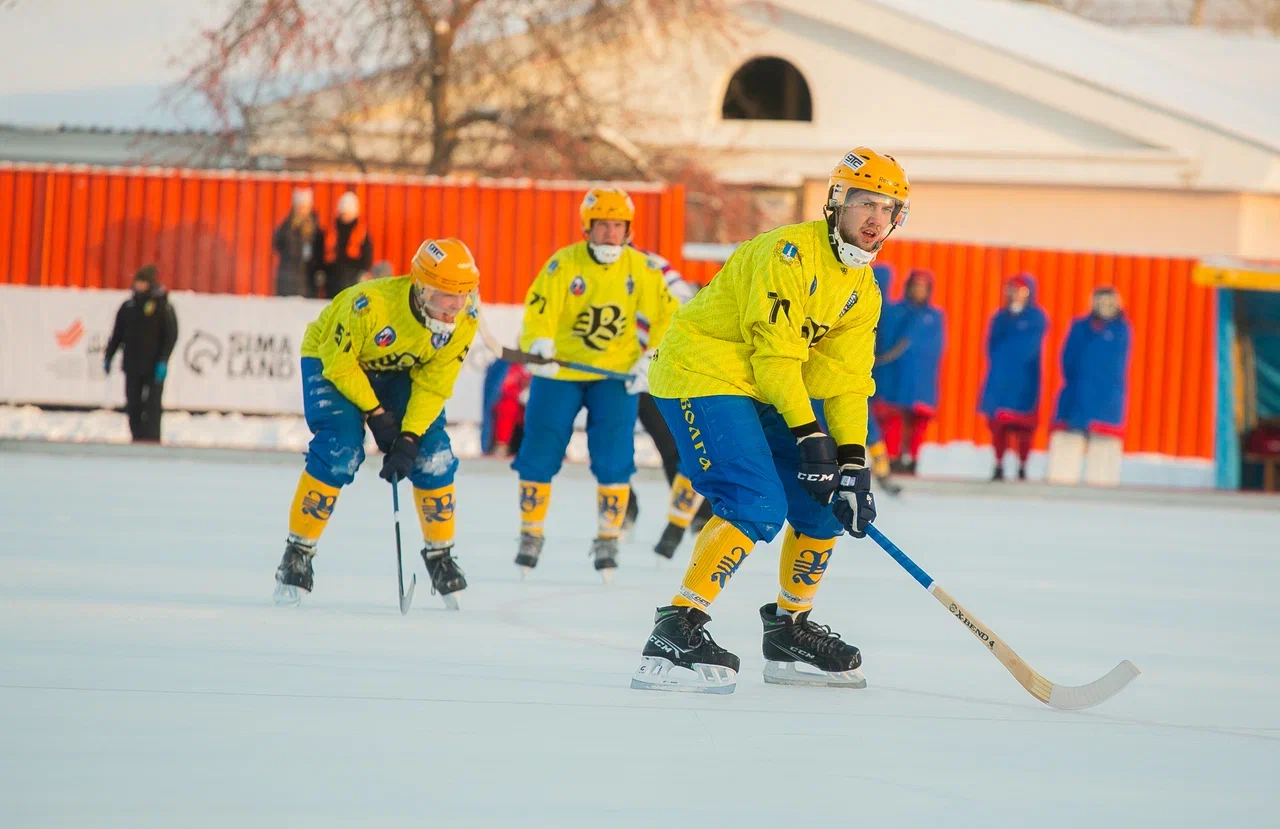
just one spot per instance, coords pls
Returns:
(1172, 373)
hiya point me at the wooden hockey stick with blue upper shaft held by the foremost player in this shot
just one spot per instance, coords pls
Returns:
(1064, 698)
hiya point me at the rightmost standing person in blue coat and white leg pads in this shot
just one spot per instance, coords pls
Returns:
(1091, 407)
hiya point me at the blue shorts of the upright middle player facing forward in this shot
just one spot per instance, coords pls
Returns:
(611, 424)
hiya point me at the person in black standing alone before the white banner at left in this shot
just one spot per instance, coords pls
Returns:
(148, 329)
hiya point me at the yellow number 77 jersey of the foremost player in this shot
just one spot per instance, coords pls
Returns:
(783, 323)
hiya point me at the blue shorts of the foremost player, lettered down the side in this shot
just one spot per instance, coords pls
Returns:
(740, 456)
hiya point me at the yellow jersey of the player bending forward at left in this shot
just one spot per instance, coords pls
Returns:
(373, 327)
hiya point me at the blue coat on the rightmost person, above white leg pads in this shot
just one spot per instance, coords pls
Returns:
(1095, 377)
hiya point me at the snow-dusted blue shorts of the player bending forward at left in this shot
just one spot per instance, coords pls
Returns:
(339, 430)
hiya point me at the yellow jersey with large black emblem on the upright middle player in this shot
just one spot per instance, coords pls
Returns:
(595, 313)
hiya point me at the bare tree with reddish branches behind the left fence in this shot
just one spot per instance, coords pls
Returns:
(538, 88)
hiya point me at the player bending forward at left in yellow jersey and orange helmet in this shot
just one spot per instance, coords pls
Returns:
(386, 354)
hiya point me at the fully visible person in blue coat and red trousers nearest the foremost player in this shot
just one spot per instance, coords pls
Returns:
(907, 395)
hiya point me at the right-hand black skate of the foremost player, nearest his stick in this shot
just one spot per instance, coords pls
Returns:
(793, 639)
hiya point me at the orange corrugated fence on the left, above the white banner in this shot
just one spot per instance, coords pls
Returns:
(212, 231)
